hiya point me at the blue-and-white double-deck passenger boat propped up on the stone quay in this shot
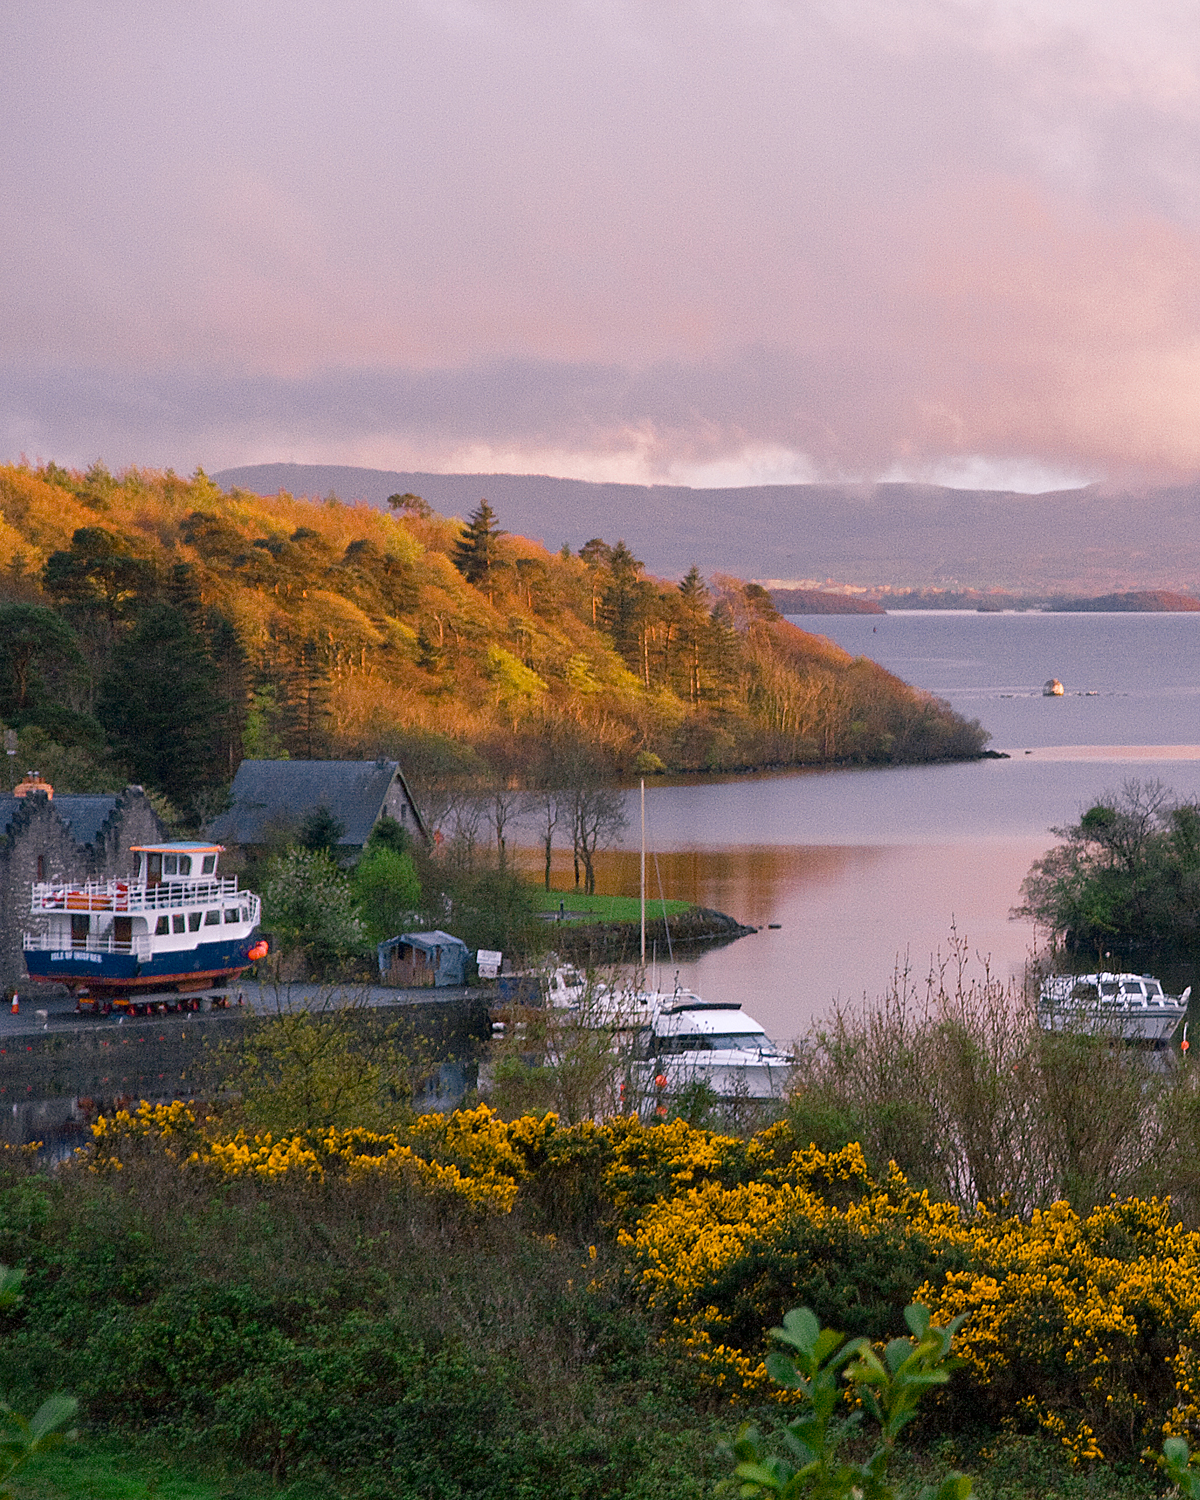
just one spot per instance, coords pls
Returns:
(175, 932)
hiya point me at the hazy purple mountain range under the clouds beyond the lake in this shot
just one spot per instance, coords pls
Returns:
(1096, 541)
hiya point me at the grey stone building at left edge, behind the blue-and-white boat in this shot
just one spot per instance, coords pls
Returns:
(67, 838)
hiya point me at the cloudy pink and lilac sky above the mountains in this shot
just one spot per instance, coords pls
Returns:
(703, 244)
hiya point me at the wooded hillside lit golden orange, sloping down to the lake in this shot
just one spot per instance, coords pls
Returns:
(164, 629)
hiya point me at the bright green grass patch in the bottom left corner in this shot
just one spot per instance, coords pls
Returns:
(112, 1469)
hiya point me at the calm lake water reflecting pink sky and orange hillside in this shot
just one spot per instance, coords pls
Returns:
(874, 871)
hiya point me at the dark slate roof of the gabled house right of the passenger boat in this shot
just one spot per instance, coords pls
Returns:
(268, 794)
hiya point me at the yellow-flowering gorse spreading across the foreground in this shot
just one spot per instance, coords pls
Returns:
(1088, 1327)
